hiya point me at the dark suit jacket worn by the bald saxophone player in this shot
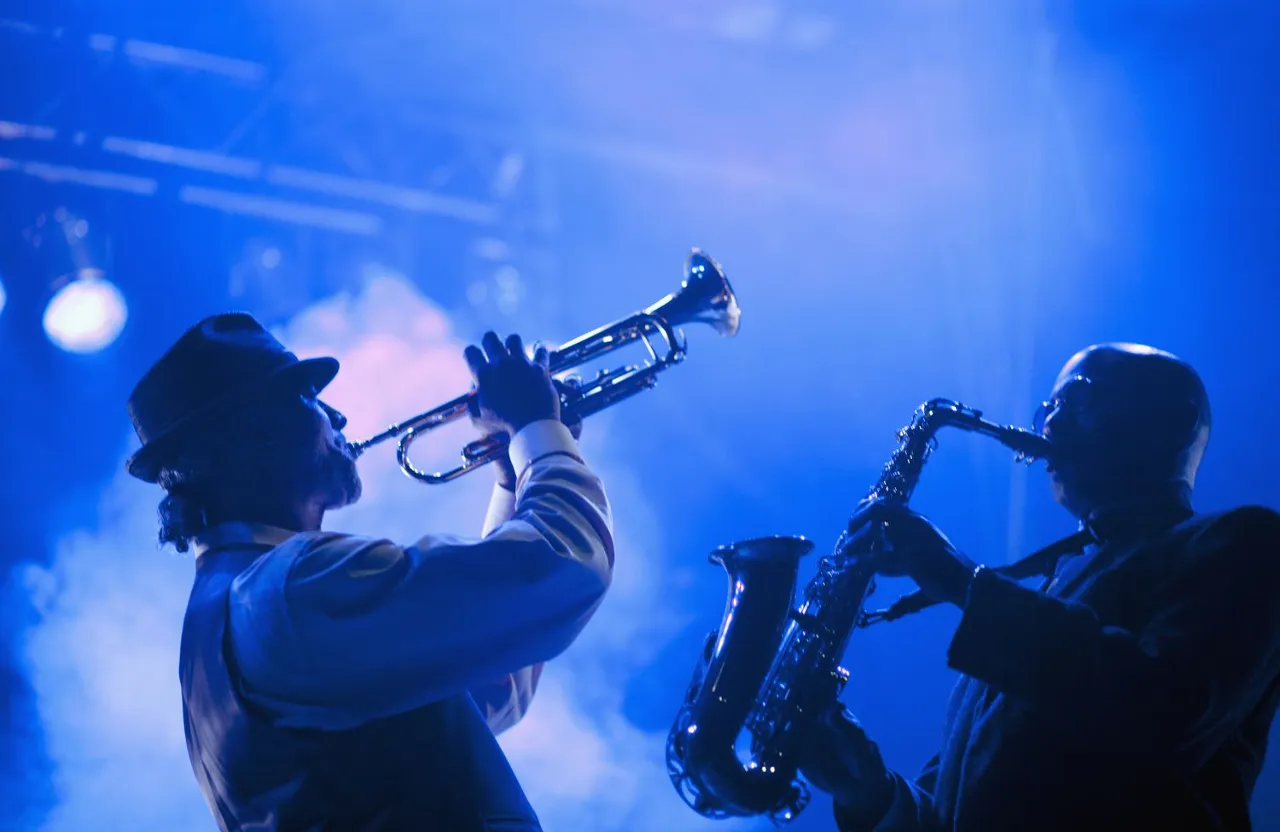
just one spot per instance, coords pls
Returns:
(1135, 692)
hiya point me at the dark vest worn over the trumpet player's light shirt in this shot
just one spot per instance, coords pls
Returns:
(437, 767)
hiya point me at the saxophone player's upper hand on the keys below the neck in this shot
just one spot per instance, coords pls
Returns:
(915, 547)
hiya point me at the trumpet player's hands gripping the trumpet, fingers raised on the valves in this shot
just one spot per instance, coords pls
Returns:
(513, 392)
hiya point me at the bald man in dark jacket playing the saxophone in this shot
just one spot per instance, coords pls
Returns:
(1136, 689)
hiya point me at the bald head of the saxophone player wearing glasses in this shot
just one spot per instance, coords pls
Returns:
(1126, 417)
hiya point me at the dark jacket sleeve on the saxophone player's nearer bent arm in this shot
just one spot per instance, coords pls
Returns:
(1169, 693)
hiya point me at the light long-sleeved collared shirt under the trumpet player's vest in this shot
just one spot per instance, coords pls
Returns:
(333, 630)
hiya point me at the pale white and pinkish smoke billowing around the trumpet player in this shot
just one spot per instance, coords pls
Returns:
(103, 657)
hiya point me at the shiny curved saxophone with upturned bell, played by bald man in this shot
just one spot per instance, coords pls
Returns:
(770, 669)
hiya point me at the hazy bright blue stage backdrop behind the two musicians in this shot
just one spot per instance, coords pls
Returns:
(934, 199)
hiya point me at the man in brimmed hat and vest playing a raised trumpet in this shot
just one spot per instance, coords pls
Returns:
(332, 682)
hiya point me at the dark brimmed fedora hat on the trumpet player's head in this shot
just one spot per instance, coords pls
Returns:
(220, 360)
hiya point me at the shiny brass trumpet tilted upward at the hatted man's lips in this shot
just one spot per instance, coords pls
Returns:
(705, 298)
